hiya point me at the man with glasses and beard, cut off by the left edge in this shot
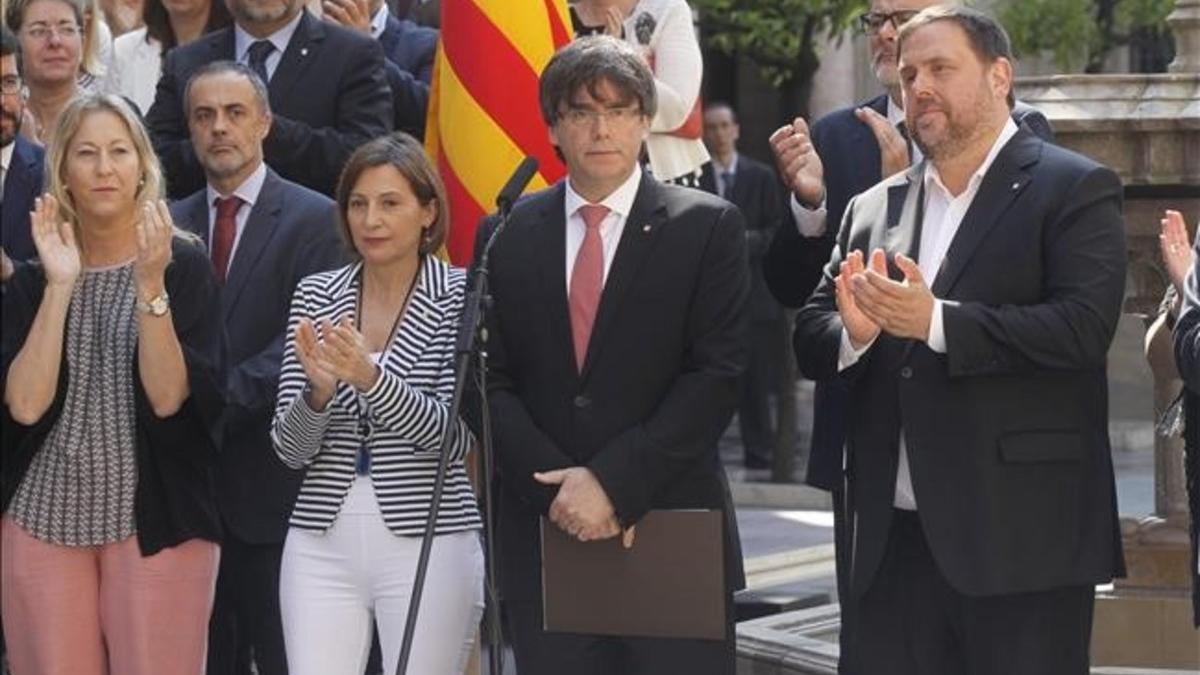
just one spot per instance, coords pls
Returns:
(21, 162)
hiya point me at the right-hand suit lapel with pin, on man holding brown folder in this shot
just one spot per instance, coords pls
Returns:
(646, 220)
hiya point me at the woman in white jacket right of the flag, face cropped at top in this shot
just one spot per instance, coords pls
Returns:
(663, 33)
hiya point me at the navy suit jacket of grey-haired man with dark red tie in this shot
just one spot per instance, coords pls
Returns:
(292, 232)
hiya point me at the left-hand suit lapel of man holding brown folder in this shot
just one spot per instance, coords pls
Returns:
(551, 261)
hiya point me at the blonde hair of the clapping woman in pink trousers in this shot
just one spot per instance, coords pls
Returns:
(151, 188)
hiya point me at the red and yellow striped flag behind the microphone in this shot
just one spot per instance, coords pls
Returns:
(484, 116)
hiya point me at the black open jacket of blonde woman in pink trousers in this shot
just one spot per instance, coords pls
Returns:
(175, 456)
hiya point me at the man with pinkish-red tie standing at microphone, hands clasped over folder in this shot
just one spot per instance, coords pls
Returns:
(617, 345)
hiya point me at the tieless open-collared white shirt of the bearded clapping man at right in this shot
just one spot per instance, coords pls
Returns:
(943, 217)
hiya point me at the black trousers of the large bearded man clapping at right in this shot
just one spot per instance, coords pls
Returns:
(913, 623)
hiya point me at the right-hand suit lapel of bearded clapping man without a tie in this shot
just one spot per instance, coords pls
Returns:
(1004, 182)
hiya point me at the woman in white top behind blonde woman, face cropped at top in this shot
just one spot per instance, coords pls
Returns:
(137, 56)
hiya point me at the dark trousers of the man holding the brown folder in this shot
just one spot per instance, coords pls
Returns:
(539, 653)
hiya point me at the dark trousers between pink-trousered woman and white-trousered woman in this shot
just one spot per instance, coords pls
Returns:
(247, 624)
